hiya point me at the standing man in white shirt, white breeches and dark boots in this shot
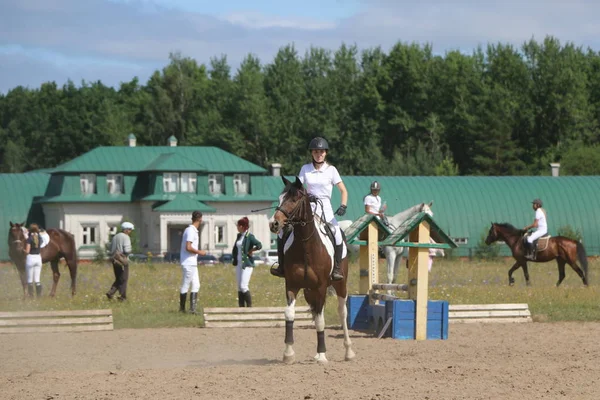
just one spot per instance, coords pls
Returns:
(189, 263)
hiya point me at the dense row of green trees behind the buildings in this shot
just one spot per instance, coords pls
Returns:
(500, 110)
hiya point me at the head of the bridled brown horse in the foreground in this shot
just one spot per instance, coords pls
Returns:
(293, 208)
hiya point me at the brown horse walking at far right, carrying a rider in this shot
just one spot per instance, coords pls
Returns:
(564, 250)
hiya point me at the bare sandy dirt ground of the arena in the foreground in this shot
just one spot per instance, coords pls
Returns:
(483, 361)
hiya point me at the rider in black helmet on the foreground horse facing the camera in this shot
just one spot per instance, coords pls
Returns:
(319, 178)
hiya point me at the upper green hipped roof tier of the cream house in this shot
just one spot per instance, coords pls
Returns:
(124, 159)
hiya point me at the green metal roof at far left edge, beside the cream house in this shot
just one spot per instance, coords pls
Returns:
(16, 202)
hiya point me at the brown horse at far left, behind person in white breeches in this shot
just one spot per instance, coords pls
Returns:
(62, 245)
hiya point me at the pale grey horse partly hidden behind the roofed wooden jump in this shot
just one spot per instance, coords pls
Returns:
(393, 254)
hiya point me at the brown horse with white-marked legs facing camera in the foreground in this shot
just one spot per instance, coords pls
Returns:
(308, 262)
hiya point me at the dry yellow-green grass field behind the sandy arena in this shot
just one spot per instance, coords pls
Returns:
(154, 300)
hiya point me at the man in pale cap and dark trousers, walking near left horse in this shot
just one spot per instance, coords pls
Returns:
(120, 248)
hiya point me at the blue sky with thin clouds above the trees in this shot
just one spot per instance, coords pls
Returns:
(116, 40)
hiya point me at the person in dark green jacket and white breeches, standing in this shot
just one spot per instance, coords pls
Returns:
(245, 245)
